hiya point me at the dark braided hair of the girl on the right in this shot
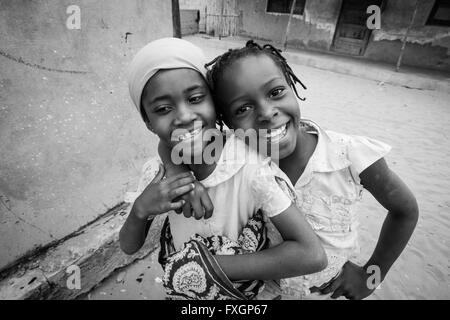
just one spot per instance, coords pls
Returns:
(217, 67)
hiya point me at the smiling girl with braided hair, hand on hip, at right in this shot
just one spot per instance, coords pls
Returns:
(255, 88)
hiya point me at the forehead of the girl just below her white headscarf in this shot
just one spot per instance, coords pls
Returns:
(172, 81)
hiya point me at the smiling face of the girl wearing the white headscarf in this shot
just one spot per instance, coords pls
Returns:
(179, 107)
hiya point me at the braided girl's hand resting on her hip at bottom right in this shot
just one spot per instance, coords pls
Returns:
(351, 283)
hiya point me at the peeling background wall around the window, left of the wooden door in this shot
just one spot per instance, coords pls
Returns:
(314, 29)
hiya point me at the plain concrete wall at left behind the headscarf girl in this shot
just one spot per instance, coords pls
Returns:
(71, 142)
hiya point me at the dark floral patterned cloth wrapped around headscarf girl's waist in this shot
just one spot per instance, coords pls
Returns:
(193, 273)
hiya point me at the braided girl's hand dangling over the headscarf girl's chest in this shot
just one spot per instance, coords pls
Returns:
(197, 203)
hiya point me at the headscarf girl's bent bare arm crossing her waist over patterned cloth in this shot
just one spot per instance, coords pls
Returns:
(300, 253)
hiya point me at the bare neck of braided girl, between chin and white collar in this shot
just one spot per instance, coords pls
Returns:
(294, 164)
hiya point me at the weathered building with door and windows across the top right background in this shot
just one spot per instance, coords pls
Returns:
(338, 26)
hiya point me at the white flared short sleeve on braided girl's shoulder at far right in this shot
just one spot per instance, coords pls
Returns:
(363, 152)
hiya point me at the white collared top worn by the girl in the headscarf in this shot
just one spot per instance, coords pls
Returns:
(242, 183)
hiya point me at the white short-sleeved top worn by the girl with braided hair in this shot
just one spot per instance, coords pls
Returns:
(328, 193)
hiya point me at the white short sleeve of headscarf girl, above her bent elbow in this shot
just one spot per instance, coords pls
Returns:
(268, 192)
